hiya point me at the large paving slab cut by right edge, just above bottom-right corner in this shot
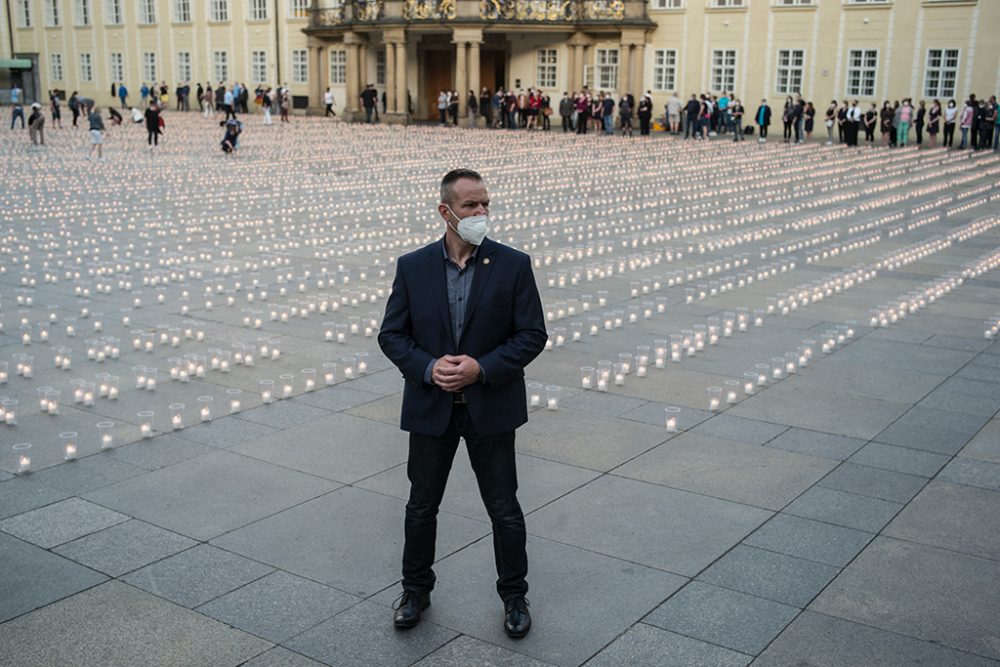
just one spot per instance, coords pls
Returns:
(920, 591)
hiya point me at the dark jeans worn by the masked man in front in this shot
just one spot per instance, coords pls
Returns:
(492, 459)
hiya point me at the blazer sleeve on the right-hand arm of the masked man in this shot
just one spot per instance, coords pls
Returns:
(528, 335)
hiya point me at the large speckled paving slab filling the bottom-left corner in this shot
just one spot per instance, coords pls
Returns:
(116, 625)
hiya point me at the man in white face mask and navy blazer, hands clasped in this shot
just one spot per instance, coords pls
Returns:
(463, 320)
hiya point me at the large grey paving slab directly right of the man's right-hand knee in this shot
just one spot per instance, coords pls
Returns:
(646, 523)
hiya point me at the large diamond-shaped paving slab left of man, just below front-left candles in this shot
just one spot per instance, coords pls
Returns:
(212, 494)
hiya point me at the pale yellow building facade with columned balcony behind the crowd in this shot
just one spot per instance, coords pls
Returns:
(870, 50)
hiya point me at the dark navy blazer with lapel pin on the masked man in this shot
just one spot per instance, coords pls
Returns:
(504, 330)
